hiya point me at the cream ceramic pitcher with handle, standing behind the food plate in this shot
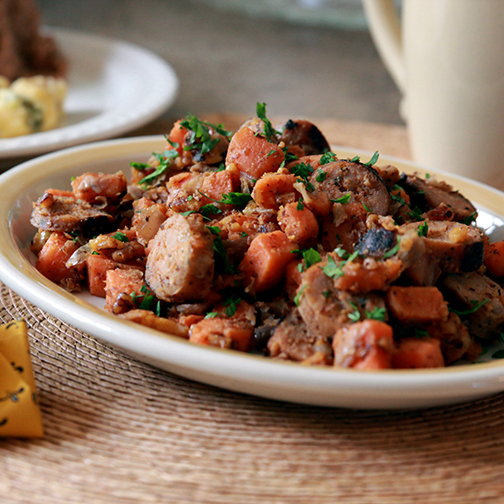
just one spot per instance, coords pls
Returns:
(447, 59)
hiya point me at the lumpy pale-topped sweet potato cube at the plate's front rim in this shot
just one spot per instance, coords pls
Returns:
(367, 345)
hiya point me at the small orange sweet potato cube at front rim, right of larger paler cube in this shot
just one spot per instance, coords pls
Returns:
(418, 353)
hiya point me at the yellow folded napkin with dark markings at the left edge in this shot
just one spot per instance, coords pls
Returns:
(19, 412)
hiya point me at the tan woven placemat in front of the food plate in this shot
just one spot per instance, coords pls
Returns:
(120, 431)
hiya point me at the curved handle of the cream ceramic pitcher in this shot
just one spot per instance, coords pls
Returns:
(385, 28)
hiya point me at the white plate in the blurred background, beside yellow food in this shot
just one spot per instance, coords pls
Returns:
(113, 87)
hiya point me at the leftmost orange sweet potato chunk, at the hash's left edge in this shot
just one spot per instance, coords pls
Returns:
(53, 256)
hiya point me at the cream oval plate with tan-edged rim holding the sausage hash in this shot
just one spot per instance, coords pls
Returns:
(229, 369)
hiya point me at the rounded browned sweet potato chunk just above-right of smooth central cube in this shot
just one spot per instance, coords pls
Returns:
(298, 223)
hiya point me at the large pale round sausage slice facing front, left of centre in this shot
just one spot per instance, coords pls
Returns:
(180, 264)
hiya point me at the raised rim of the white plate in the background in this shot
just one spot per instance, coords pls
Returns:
(82, 132)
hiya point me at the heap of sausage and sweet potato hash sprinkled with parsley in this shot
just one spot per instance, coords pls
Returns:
(266, 241)
